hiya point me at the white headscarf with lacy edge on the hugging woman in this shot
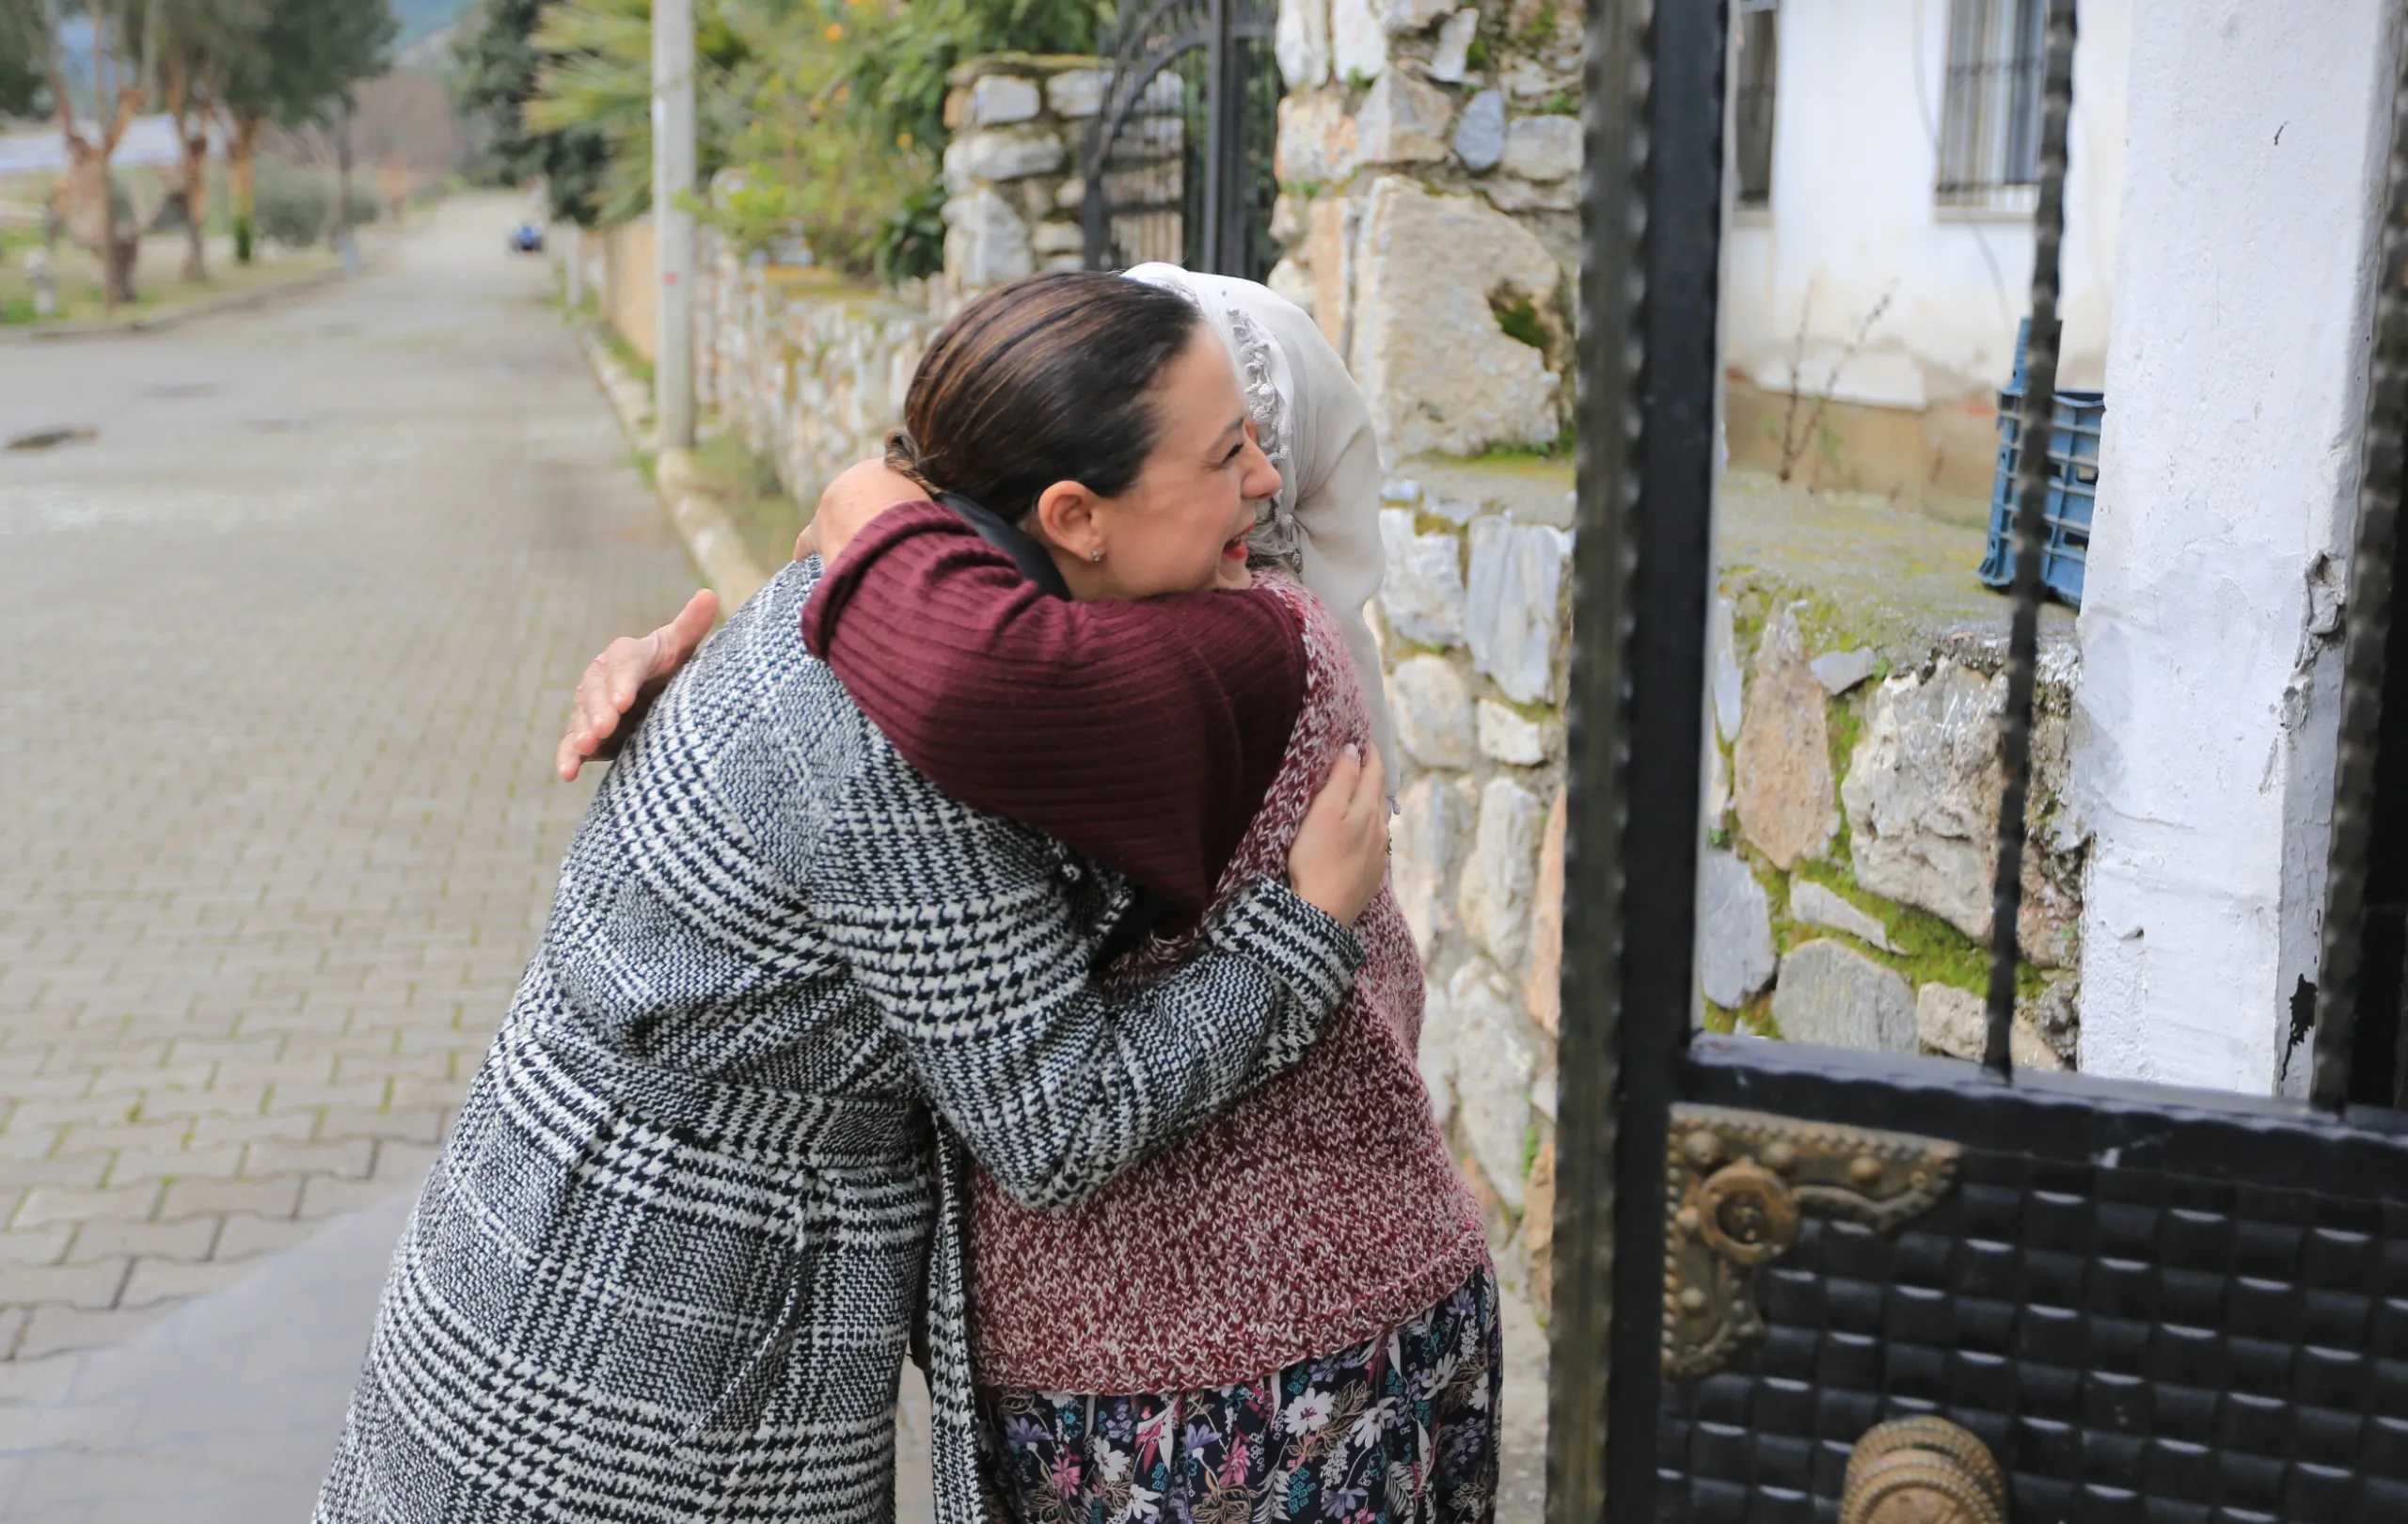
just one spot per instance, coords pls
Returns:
(1316, 427)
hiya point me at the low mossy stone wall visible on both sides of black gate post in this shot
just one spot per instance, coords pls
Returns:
(1848, 856)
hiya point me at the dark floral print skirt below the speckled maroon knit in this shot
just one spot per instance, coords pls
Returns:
(1400, 1429)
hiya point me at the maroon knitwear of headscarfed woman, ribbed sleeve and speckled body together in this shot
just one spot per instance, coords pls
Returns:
(1323, 1207)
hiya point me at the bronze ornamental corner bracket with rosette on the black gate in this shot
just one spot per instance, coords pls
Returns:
(1737, 1186)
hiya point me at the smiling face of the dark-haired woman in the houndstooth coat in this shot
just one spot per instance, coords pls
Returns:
(1184, 524)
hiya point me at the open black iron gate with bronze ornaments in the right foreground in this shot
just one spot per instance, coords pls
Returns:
(1810, 1287)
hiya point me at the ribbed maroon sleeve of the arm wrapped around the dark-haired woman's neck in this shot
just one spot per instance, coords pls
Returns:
(1140, 733)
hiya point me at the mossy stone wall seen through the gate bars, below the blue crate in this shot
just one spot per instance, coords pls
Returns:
(1853, 813)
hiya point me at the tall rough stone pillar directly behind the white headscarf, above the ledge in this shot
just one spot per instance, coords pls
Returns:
(1429, 165)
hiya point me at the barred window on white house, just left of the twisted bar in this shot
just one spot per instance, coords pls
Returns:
(1990, 124)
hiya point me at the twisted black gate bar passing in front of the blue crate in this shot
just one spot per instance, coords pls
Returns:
(2031, 541)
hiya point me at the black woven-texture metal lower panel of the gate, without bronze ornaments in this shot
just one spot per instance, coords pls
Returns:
(2156, 1306)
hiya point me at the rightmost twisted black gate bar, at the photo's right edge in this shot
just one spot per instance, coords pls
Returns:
(2368, 637)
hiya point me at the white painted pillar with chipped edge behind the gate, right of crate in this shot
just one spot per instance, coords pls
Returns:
(2236, 382)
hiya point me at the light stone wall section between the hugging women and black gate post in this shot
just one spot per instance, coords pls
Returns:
(1475, 625)
